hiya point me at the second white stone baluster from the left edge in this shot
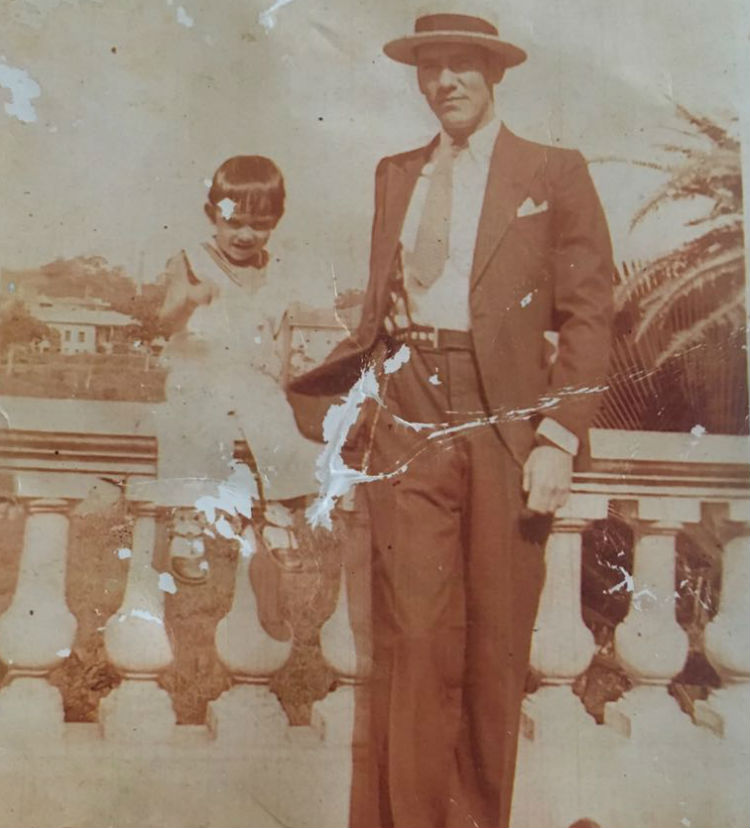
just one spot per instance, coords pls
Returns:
(138, 645)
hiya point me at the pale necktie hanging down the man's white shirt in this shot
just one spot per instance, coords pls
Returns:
(431, 244)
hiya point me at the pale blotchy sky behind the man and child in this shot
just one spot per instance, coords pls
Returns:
(140, 100)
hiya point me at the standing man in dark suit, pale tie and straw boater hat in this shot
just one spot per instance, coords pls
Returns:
(491, 262)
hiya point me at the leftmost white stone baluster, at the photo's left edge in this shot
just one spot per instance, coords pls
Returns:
(38, 630)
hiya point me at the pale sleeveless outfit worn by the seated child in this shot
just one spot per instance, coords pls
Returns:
(224, 383)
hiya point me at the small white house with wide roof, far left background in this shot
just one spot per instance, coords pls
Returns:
(85, 326)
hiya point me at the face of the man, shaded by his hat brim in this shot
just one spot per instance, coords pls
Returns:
(457, 82)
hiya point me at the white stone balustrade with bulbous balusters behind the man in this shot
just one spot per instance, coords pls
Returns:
(655, 768)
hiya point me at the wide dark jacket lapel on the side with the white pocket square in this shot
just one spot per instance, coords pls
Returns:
(514, 165)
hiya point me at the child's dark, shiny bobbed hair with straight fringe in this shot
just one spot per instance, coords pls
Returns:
(253, 182)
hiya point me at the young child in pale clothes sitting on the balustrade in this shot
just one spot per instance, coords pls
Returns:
(224, 306)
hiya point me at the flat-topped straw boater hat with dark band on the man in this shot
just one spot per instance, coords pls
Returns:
(461, 22)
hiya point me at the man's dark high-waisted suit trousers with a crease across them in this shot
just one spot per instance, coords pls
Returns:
(456, 576)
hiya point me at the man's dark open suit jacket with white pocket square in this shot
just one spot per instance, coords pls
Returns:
(545, 269)
